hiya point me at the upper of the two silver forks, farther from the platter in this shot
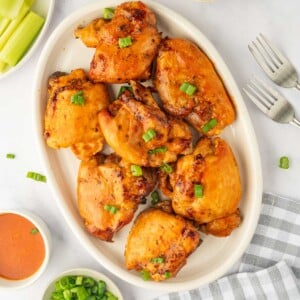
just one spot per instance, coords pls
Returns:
(274, 63)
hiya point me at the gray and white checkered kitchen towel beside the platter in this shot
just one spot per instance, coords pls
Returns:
(270, 267)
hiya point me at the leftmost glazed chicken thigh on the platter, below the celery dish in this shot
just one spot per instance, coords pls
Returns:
(71, 125)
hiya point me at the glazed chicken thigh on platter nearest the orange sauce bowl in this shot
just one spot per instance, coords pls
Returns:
(106, 181)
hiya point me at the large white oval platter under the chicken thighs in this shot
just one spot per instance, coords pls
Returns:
(215, 256)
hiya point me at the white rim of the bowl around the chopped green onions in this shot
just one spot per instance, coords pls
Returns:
(111, 286)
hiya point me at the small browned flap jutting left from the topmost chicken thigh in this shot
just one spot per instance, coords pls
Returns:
(89, 34)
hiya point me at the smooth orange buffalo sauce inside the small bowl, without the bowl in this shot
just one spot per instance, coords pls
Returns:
(22, 248)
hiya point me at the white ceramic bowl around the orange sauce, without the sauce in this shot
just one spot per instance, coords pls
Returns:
(45, 233)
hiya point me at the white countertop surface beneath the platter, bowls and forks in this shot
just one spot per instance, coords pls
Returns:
(230, 25)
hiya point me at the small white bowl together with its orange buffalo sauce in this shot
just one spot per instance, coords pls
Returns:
(24, 248)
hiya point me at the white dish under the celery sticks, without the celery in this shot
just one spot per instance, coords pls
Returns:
(44, 8)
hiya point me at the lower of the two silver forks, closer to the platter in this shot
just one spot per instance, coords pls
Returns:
(270, 102)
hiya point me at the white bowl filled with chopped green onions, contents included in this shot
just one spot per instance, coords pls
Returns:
(82, 284)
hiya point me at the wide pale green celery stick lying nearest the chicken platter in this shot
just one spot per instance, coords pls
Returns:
(22, 38)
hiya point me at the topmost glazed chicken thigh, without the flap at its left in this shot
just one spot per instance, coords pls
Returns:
(113, 64)
